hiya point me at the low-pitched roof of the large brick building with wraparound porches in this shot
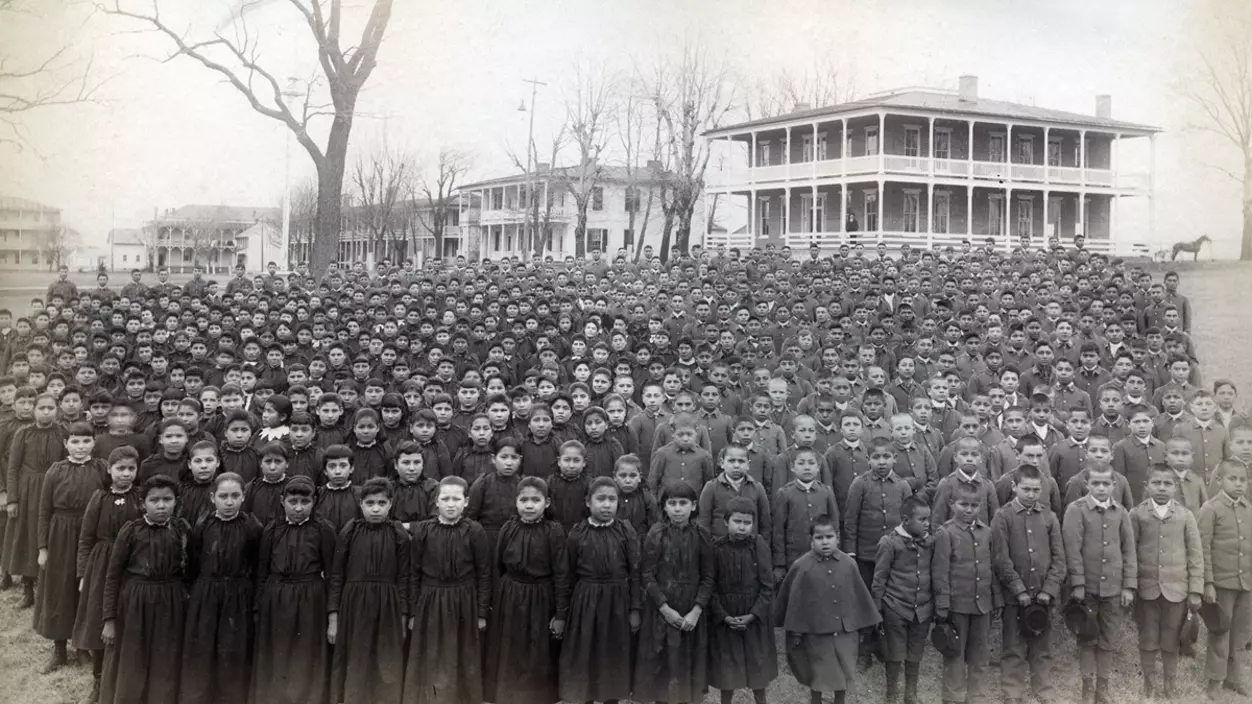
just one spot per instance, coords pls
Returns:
(942, 102)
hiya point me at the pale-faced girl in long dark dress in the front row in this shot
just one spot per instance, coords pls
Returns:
(453, 583)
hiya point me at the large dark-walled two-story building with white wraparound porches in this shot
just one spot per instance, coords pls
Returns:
(933, 168)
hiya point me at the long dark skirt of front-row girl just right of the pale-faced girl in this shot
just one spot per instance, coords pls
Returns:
(521, 665)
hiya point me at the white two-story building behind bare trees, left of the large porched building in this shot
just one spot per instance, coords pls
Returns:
(623, 210)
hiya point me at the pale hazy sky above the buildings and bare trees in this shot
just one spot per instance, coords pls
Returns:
(162, 135)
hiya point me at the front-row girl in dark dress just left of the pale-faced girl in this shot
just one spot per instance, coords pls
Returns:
(369, 603)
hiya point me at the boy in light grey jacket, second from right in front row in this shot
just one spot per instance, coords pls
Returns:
(1171, 562)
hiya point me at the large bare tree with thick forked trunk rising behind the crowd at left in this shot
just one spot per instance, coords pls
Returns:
(237, 58)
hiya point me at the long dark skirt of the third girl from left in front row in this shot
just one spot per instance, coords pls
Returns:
(292, 656)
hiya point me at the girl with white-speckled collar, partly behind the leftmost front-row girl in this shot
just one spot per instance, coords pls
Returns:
(108, 510)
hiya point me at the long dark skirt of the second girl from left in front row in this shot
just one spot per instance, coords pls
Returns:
(217, 643)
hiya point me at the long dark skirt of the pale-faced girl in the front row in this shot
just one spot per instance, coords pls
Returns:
(445, 658)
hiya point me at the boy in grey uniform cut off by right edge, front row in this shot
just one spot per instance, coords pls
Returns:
(1225, 533)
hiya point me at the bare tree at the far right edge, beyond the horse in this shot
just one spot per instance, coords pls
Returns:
(1223, 95)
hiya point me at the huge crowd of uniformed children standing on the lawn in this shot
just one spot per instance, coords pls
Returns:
(503, 484)
